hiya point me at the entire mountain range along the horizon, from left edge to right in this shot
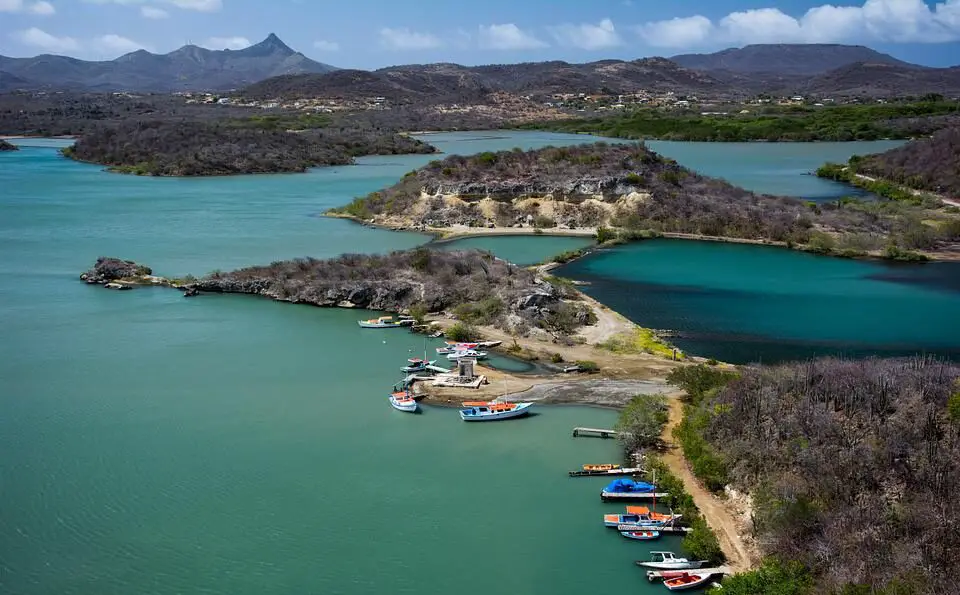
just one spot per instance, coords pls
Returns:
(272, 69)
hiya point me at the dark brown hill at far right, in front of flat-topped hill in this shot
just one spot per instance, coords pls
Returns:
(885, 80)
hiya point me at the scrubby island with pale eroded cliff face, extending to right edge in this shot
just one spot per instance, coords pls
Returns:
(635, 192)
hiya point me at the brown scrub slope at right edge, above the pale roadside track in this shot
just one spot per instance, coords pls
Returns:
(926, 164)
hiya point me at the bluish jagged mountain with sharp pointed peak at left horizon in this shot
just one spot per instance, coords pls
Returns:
(188, 68)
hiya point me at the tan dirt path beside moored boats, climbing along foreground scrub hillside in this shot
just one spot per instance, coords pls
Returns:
(740, 555)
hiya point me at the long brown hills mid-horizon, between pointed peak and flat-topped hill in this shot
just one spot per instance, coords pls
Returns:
(444, 81)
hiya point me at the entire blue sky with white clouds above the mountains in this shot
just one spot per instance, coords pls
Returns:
(375, 33)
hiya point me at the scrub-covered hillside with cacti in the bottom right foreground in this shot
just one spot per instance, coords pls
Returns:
(854, 468)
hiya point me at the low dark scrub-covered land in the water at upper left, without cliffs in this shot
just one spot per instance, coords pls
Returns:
(200, 148)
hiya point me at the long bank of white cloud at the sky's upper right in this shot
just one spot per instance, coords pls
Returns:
(883, 21)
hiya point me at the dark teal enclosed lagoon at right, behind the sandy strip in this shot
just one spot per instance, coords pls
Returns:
(744, 303)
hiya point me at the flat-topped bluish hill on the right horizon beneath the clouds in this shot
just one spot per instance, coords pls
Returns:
(785, 59)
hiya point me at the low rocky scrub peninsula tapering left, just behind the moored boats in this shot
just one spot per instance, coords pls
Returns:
(478, 287)
